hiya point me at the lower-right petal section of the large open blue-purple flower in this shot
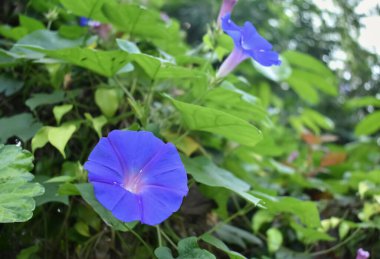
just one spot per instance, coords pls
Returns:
(158, 204)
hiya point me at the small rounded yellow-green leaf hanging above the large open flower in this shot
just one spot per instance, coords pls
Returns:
(107, 100)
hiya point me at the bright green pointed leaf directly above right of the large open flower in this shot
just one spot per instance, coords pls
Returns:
(211, 120)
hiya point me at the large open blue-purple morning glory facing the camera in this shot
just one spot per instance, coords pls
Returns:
(137, 176)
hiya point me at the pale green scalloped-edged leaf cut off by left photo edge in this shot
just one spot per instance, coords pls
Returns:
(16, 193)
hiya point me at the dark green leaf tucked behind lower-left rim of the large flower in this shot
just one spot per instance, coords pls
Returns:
(87, 192)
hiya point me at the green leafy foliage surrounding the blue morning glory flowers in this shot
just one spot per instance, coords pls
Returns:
(283, 162)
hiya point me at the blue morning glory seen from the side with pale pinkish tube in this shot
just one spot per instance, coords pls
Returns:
(248, 44)
